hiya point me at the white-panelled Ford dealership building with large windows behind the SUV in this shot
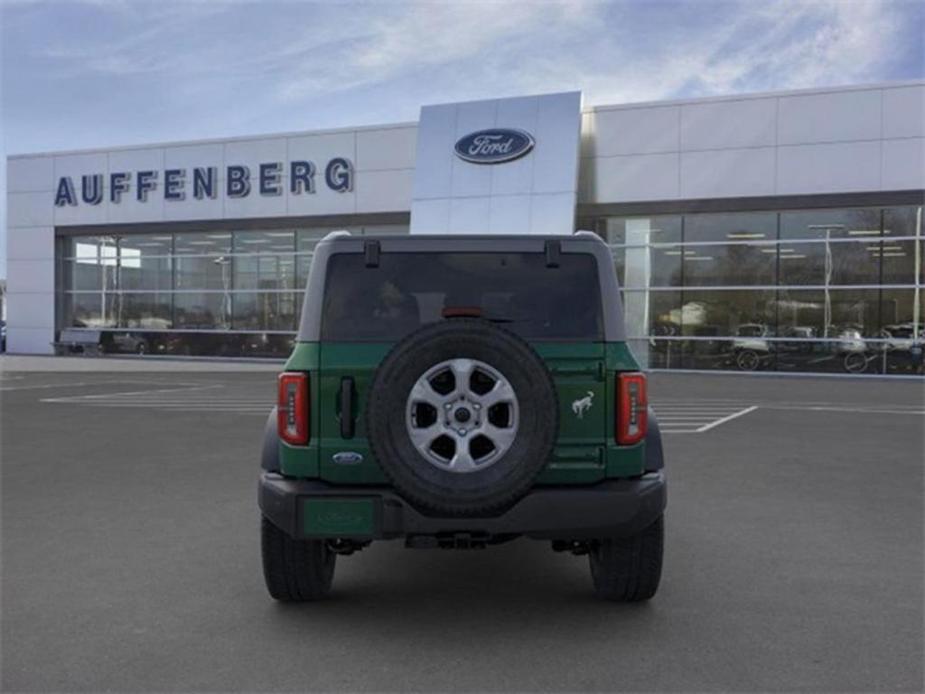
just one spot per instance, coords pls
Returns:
(774, 232)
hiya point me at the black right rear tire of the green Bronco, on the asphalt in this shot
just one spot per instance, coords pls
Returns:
(629, 569)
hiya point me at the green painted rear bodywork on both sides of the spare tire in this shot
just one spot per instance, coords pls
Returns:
(584, 374)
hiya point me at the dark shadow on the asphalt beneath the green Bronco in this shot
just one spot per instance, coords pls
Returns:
(518, 584)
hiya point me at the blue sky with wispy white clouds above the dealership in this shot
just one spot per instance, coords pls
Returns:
(96, 73)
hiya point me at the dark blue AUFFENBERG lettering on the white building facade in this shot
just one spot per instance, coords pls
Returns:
(203, 182)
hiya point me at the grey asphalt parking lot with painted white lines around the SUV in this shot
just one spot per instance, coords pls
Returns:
(130, 558)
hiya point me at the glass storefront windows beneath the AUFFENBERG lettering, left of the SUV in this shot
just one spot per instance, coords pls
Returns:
(152, 291)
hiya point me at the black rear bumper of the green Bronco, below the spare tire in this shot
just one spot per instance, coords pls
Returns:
(614, 508)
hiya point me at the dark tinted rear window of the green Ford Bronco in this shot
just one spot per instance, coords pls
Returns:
(408, 290)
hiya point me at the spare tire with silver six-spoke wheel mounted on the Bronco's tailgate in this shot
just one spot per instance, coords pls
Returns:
(462, 416)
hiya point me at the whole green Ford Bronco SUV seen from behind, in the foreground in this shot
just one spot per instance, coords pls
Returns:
(462, 391)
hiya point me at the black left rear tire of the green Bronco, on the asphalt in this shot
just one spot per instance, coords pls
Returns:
(295, 570)
